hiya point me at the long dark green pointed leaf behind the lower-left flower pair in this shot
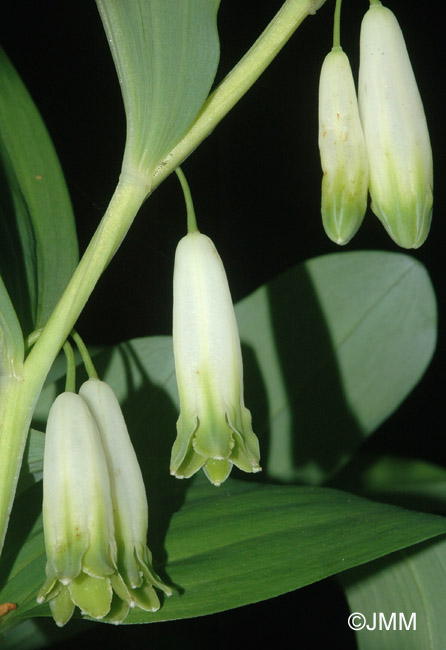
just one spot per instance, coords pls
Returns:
(231, 546)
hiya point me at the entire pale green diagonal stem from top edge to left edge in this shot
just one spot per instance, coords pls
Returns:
(19, 396)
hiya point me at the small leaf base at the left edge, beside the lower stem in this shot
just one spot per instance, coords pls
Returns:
(11, 339)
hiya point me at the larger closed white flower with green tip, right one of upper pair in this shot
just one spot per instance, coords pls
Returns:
(395, 129)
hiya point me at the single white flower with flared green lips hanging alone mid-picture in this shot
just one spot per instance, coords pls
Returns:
(214, 428)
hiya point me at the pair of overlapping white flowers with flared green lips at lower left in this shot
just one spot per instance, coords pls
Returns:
(94, 511)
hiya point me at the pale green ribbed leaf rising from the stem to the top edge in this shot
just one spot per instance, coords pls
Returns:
(166, 54)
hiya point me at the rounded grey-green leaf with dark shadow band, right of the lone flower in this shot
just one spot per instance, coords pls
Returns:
(332, 348)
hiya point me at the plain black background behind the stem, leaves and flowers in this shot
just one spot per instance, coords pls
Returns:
(256, 188)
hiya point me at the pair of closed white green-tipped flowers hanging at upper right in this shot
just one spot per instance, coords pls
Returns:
(380, 143)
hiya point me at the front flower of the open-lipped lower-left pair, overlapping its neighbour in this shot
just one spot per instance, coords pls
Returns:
(77, 514)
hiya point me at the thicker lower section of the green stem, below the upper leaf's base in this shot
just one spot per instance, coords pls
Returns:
(18, 398)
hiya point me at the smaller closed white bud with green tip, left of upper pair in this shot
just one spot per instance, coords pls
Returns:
(342, 148)
